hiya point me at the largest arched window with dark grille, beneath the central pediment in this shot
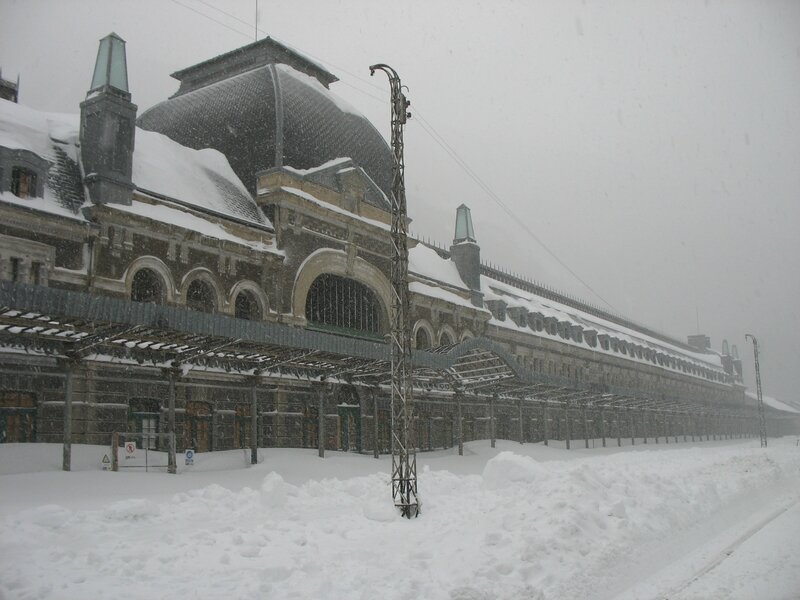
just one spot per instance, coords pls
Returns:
(343, 303)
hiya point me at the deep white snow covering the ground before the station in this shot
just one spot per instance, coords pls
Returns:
(704, 520)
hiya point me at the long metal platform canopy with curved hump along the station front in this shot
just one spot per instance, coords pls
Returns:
(75, 326)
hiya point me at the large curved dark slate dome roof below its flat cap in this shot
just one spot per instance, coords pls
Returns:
(270, 116)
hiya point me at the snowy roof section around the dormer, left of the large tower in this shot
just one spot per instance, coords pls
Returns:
(52, 137)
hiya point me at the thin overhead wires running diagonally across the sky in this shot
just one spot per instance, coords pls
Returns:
(429, 129)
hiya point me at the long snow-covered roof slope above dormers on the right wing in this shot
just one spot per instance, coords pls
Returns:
(496, 290)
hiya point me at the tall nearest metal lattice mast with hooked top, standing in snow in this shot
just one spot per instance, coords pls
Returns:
(404, 458)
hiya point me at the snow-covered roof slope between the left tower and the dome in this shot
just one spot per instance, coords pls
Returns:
(200, 178)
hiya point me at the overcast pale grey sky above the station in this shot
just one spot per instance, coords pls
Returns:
(654, 147)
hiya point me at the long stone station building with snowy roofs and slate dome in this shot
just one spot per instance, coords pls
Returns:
(219, 221)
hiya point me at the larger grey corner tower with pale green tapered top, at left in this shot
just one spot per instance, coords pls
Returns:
(108, 124)
